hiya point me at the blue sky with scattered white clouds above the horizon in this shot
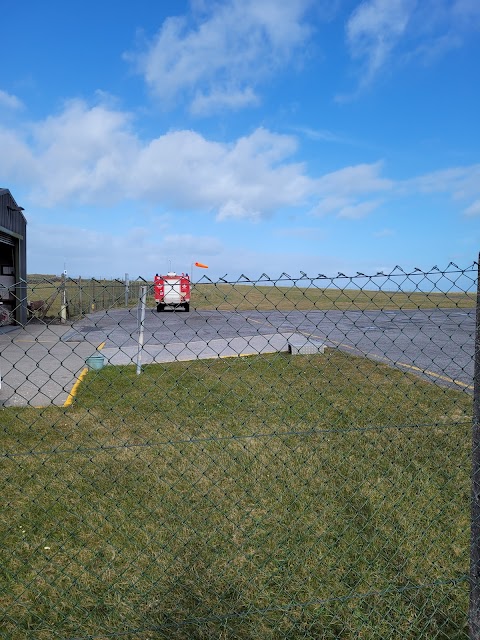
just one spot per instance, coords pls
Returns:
(254, 136)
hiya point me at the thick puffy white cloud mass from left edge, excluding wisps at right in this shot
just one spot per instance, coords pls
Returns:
(90, 156)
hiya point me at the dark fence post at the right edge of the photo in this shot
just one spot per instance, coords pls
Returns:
(474, 616)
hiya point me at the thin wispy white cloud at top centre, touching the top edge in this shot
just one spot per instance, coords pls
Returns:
(217, 60)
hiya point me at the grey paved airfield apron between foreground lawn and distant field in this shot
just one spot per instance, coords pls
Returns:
(40, 363)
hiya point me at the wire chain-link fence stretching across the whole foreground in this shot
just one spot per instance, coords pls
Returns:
(291, 458)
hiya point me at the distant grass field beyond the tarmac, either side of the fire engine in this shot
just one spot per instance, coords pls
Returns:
(88, 295)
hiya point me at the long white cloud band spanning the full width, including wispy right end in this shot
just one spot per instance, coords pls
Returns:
(91, 156)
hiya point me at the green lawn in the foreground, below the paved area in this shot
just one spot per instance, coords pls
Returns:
(321, 496)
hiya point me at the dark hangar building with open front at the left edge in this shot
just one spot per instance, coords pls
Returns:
(13, 261)
